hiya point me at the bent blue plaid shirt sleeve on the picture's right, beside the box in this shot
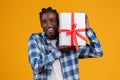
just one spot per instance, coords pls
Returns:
(94, 49)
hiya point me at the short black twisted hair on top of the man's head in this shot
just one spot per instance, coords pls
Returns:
(49, 9)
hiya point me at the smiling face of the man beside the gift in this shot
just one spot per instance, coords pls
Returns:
(49, 23)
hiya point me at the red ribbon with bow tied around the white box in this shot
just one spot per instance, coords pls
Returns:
(73, 32)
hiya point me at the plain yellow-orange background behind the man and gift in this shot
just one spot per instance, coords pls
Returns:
(19, 18)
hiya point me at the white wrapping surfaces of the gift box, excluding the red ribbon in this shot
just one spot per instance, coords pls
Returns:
(66, 22)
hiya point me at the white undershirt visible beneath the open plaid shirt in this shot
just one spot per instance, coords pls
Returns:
(56, 68)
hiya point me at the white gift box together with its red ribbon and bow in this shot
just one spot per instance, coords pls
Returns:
(72, 29)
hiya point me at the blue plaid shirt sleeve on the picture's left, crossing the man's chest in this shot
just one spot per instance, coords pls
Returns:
(37, 58)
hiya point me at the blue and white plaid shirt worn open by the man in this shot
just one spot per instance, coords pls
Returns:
(42, 56)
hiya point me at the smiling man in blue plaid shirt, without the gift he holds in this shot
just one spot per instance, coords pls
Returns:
(48, 60)
